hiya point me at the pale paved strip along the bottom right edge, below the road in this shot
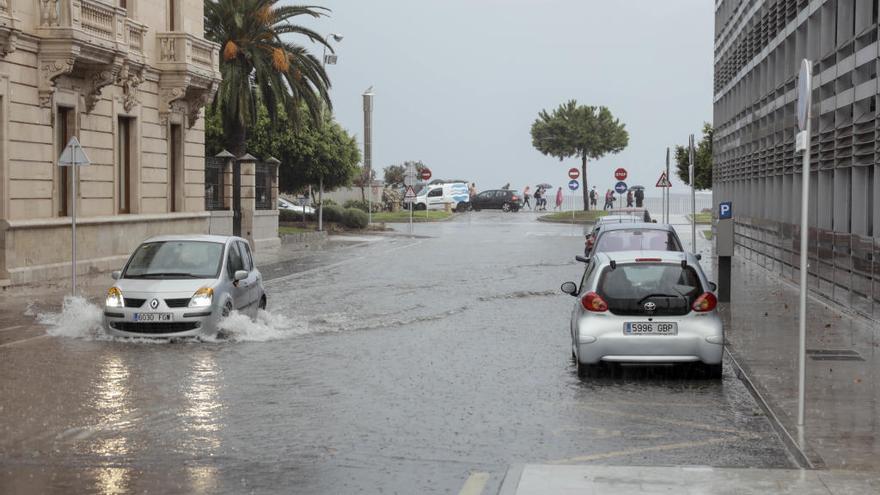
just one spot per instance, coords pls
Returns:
(540, 479)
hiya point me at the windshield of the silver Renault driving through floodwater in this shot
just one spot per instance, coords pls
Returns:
(175, 259)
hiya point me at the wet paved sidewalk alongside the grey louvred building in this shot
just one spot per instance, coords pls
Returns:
(842, 429)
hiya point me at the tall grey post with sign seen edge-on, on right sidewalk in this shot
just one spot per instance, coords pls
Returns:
(805, 86)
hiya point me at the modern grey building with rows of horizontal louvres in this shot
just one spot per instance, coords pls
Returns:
(759, 46)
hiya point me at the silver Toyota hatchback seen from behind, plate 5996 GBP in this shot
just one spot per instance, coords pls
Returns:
(645, 307)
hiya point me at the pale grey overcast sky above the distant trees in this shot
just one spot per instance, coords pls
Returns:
(458, 83)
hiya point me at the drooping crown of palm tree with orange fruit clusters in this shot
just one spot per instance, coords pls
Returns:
(260, 68)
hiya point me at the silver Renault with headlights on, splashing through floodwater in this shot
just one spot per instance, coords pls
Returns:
(181, 286)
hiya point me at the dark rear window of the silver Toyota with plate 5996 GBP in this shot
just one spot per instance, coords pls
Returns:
(629, 285)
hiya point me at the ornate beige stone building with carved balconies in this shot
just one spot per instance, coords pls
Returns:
(129, 79)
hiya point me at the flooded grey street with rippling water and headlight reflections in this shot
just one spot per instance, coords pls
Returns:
(399, 365)
